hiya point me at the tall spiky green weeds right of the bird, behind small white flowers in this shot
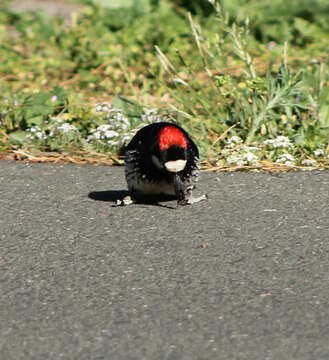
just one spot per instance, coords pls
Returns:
(252, 106)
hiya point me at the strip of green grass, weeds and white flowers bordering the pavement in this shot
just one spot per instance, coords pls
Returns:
(253, 92)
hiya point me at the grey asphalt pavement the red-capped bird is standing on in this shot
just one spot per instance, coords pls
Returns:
(242, 275)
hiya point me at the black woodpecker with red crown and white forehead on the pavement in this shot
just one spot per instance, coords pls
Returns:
(162, 162)
